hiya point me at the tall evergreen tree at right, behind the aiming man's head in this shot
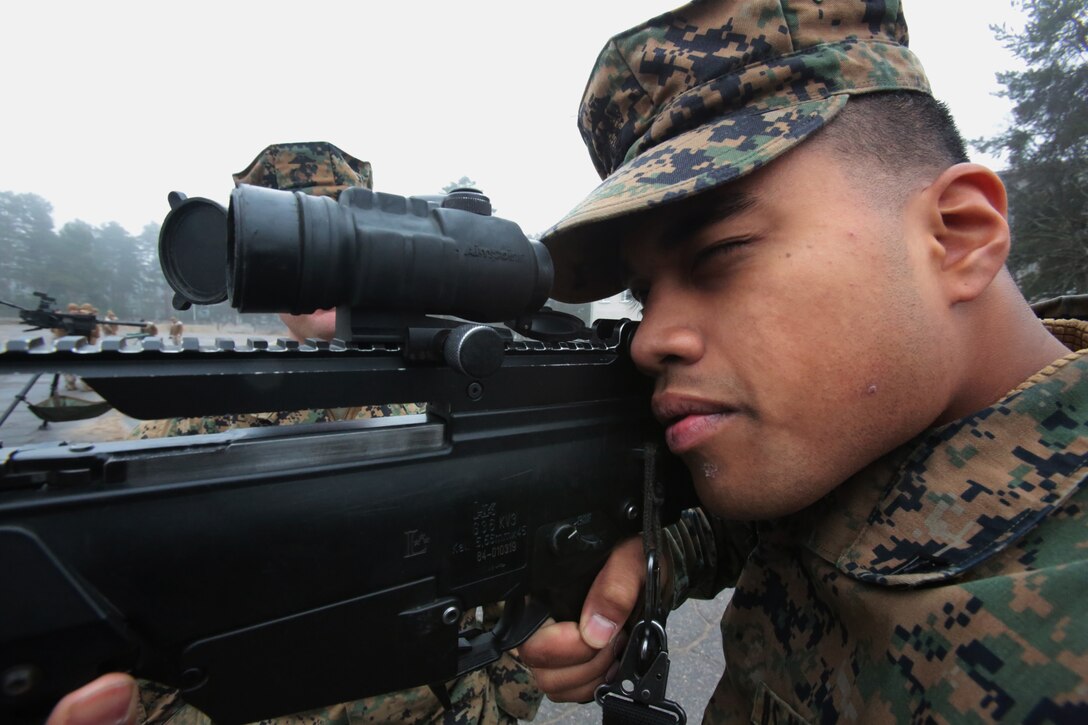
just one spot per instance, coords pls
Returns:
(1047, 149)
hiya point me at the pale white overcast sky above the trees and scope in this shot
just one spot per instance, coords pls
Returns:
(110, 105)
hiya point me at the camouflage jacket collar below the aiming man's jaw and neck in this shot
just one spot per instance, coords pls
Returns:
(961, 494)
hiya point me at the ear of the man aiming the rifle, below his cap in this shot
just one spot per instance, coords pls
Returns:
(966, 214)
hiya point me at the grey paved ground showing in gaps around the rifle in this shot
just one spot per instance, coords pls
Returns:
(695, 643)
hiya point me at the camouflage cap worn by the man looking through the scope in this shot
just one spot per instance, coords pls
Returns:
(703, 95)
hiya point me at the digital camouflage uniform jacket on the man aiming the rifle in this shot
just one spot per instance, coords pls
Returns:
(943, 584)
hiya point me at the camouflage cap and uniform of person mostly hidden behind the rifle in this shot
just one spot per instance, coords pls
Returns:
(499, 694)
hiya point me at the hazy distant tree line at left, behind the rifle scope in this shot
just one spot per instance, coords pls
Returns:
(104, 266)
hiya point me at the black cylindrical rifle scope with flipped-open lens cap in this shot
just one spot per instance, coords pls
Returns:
(288, 252)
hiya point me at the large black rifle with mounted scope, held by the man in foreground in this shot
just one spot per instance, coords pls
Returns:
(265, 572)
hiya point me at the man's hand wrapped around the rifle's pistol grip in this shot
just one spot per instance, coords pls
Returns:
(570, 660)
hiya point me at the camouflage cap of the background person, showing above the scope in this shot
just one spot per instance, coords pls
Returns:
(316, 168)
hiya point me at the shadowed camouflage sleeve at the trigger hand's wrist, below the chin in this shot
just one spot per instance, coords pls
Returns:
(706, 555)
